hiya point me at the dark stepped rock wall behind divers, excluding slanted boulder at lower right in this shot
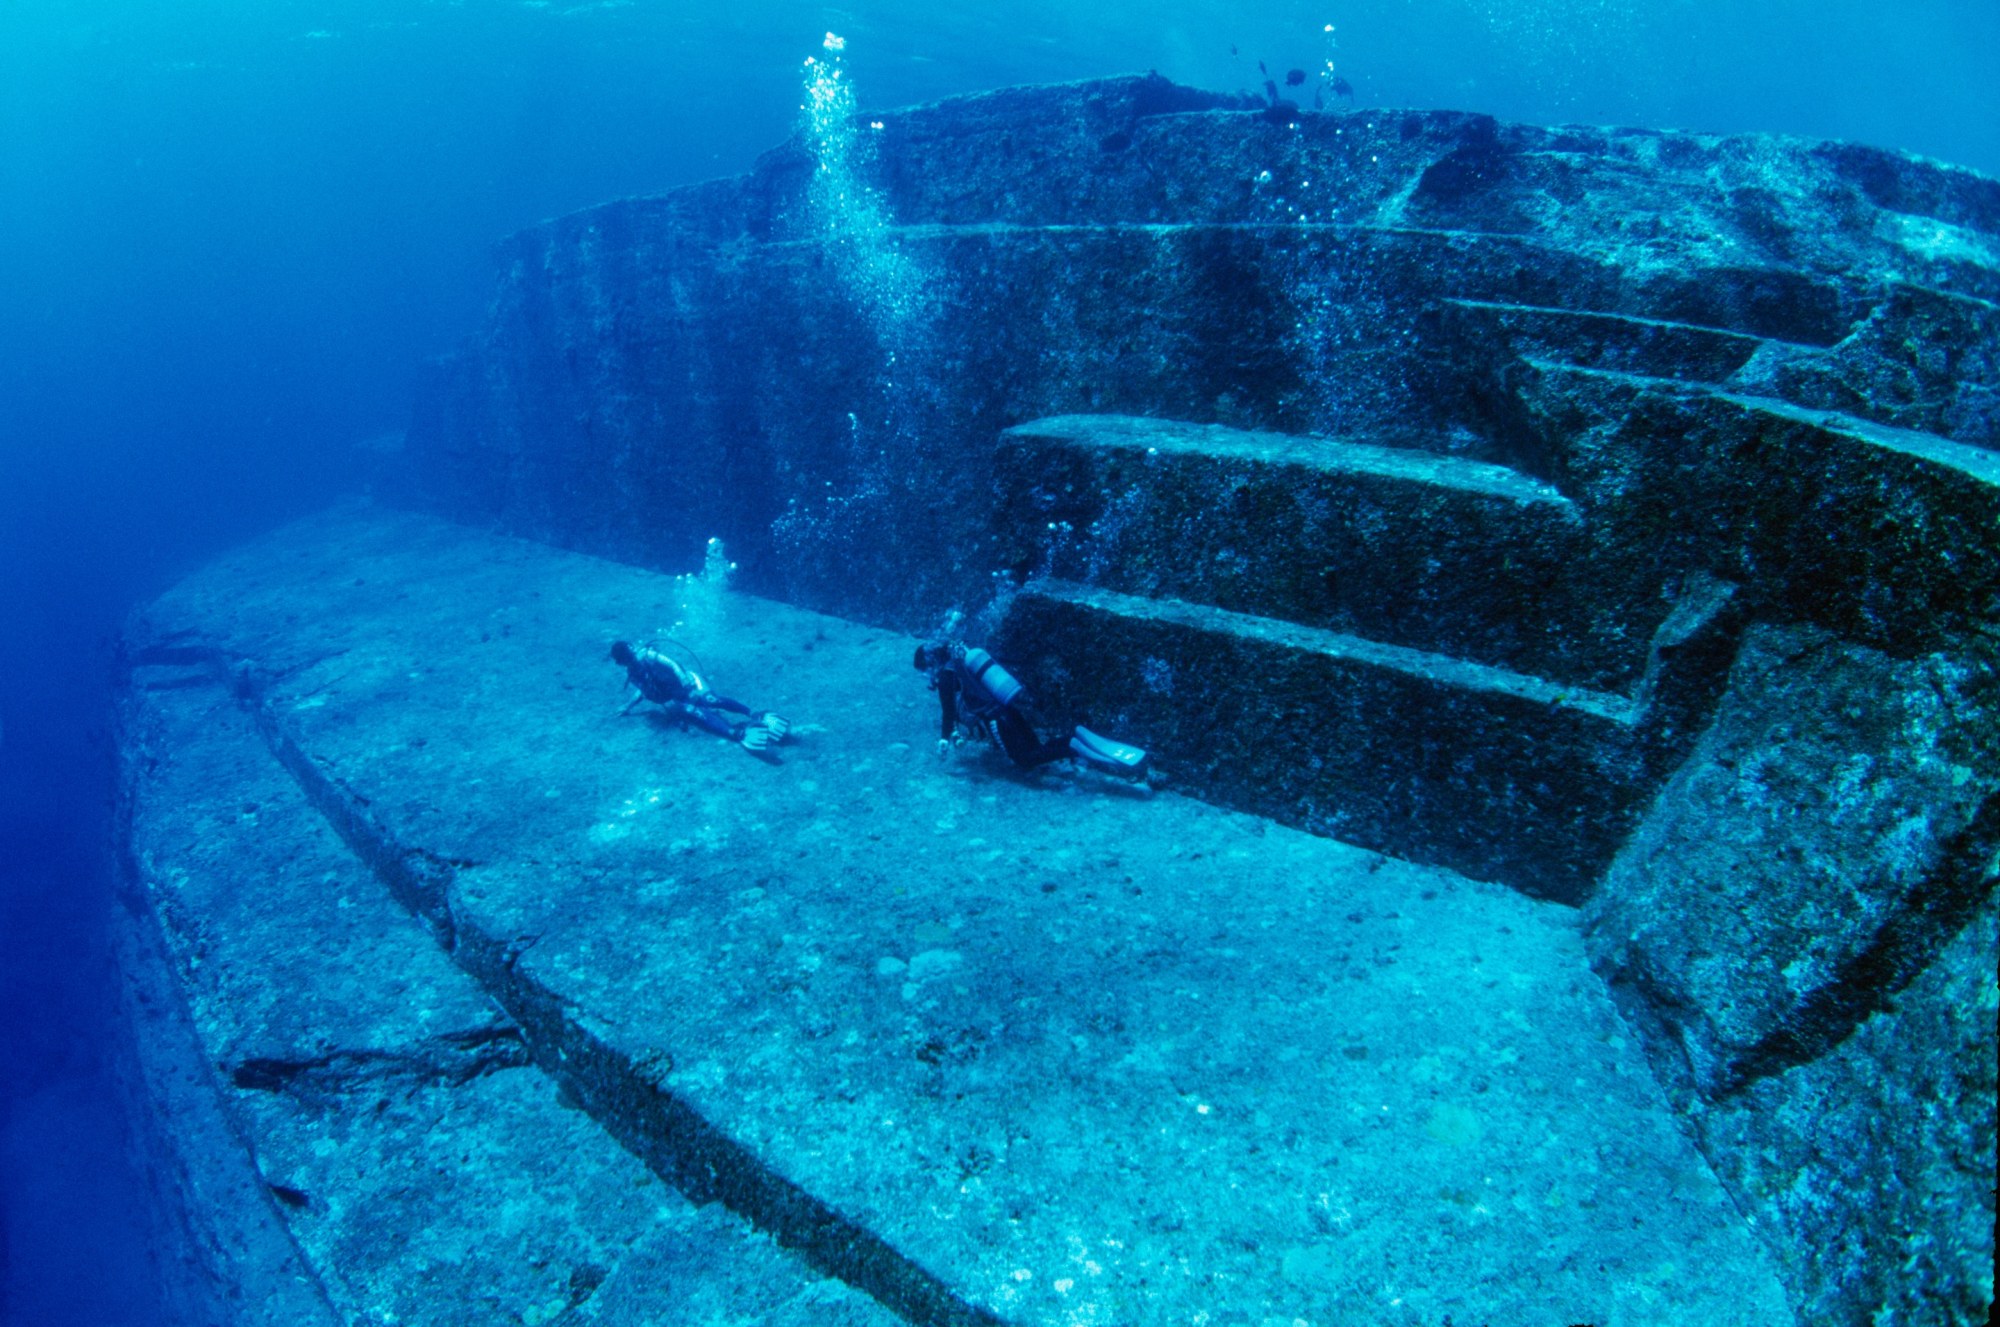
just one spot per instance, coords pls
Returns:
(1719, 381)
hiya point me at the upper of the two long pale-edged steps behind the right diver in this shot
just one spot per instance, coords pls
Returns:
(1405, 547)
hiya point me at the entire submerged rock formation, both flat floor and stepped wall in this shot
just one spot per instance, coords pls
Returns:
(1559, 567)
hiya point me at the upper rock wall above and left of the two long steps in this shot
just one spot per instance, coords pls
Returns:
(711, 365)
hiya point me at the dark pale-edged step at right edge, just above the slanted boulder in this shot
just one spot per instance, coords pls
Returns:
(1889, 537)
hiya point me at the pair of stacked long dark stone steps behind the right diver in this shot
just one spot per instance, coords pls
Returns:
(1405, 651)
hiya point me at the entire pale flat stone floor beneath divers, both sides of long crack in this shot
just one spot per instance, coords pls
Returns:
(985, 1048)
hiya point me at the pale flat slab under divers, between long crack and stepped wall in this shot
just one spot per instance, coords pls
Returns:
(991, 1048)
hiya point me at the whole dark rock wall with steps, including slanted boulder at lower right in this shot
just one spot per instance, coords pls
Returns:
(1603, 513)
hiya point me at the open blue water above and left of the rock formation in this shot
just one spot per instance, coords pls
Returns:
(231, 233)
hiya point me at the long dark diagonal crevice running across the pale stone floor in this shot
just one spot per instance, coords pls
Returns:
(651, 1122)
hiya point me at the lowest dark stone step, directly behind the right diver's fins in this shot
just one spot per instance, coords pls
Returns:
(1497, 774)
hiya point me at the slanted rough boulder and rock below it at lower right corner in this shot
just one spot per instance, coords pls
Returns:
(1805, 924)
